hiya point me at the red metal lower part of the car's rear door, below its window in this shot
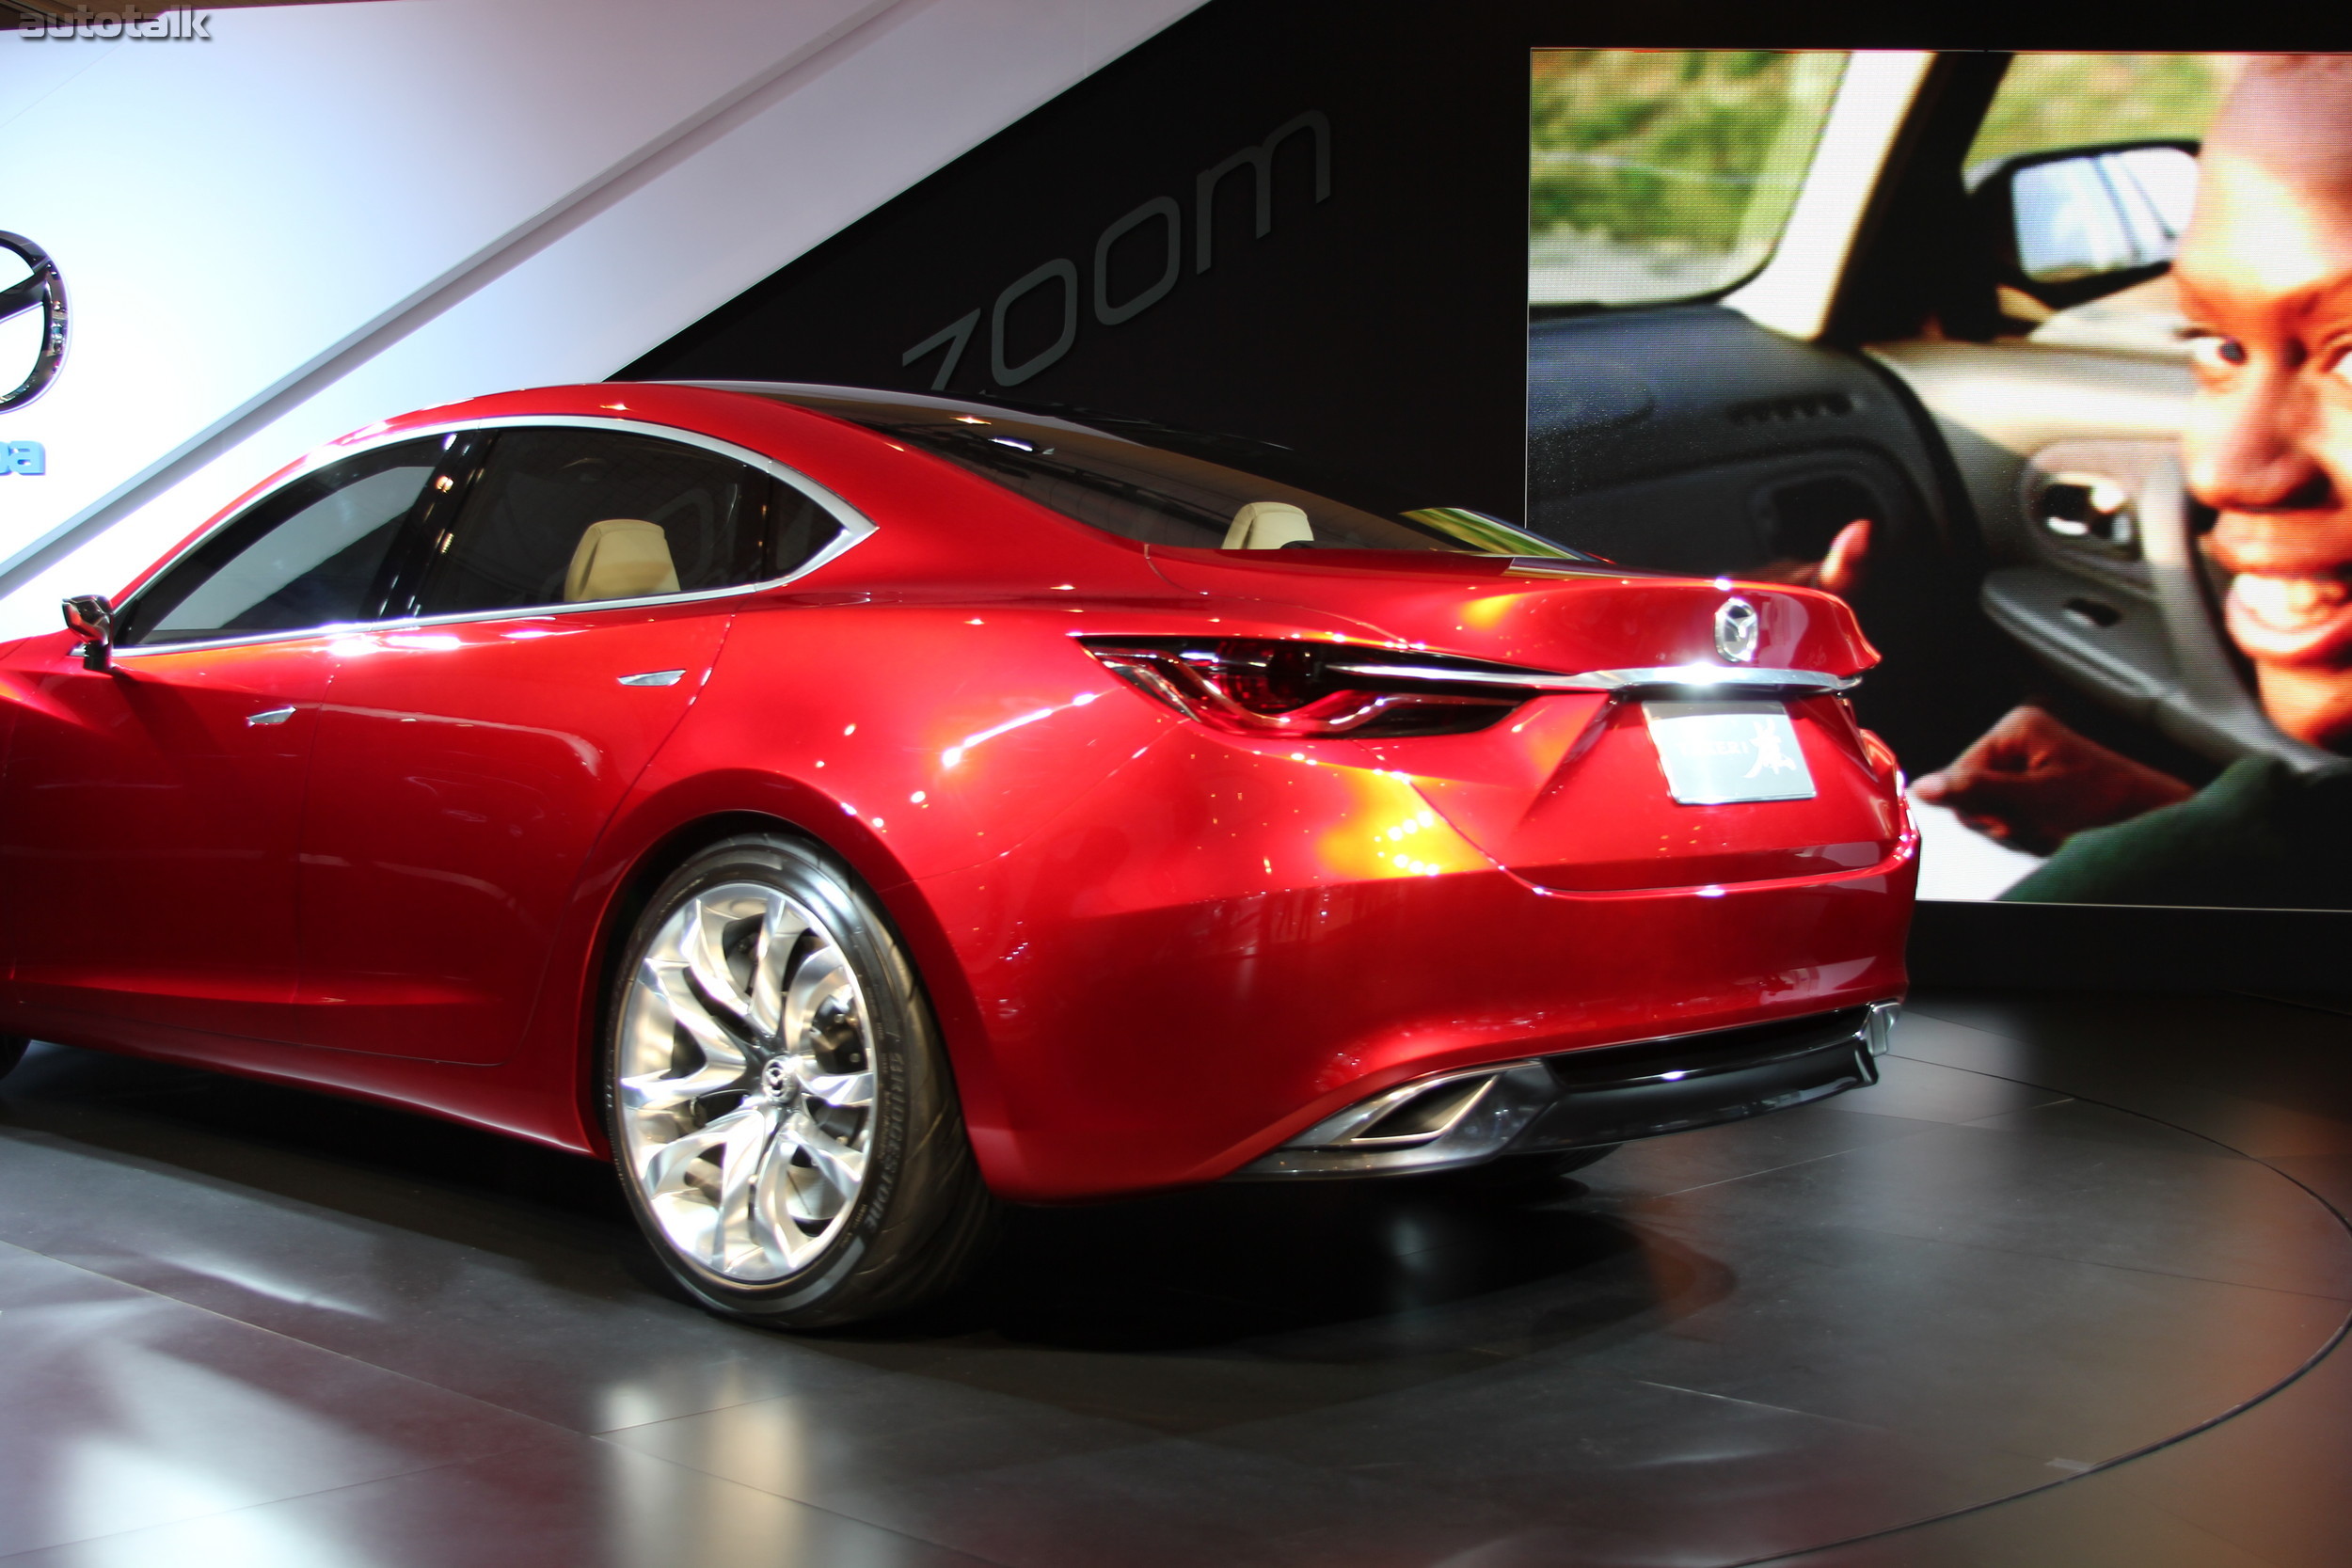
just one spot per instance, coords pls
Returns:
(462, 777)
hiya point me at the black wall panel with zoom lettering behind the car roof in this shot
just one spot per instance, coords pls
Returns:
(1377, 319)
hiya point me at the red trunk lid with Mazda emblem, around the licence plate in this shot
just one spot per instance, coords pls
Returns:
(1572, 793)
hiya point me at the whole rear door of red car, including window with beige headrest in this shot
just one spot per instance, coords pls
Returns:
(561, 619)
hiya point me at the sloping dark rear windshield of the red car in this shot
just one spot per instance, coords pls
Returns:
(1168, 488)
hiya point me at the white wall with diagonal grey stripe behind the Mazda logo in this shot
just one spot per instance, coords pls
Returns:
(340, 213)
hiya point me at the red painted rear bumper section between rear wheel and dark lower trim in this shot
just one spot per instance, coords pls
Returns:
(1231, 946)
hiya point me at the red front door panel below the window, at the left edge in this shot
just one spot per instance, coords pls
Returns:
(149, 819)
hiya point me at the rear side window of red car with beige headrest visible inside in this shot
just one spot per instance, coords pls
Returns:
(580, 516)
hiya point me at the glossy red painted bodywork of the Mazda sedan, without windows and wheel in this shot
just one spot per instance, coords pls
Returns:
(1156, 951)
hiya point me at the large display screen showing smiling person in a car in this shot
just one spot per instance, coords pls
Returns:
(2052, 384)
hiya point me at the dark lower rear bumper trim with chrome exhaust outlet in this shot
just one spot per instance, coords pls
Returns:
(1589, 1099)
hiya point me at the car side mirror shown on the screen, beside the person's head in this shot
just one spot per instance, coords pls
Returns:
(2078, 225)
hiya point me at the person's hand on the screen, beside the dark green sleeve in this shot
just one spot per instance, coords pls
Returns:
(2033, 784)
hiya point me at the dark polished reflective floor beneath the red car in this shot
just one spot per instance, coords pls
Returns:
(2064, 1292)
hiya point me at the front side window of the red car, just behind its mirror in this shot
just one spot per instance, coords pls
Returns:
(314, 554)
